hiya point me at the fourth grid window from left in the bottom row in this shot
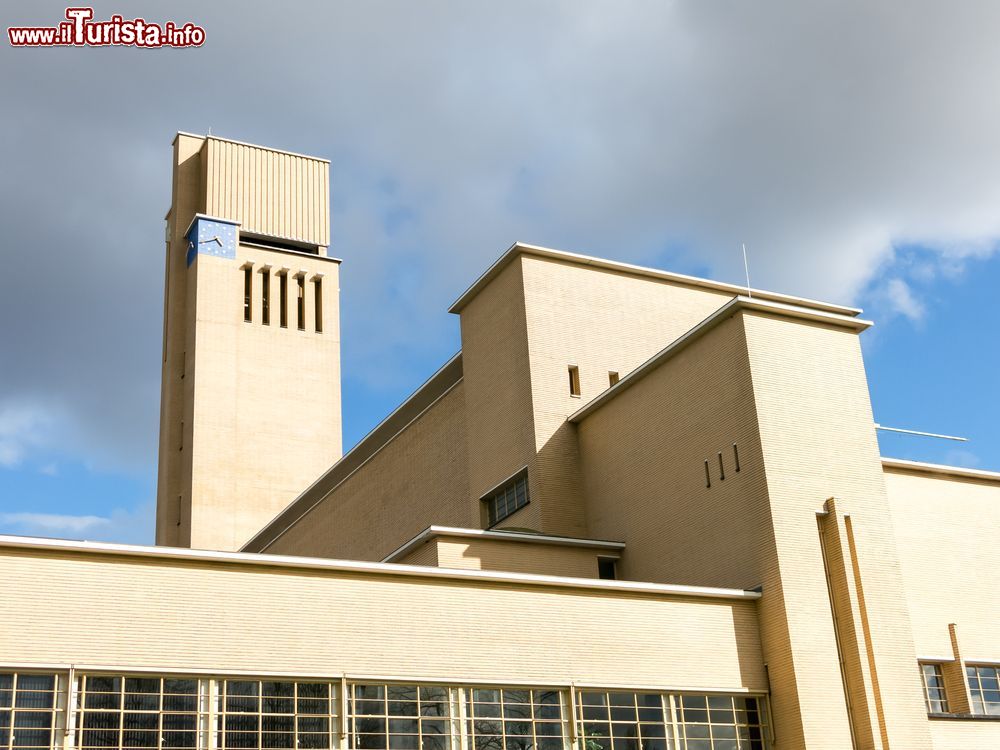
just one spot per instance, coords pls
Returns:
(400, 717)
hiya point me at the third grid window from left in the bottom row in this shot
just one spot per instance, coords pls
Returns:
(276, 714)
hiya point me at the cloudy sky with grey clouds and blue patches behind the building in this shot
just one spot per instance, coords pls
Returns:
(855, 148)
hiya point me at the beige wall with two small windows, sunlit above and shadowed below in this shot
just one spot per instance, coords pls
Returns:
(599, 320)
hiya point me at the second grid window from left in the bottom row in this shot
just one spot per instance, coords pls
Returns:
(138, 712)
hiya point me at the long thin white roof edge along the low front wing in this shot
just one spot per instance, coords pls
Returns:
(392, 570)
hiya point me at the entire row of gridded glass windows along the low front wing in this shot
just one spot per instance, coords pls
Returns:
(182, 712)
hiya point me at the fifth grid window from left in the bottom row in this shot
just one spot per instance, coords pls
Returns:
(515, 719)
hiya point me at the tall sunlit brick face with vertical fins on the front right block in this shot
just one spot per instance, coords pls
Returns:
(818, 441)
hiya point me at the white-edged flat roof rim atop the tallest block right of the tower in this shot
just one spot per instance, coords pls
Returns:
(521, 248)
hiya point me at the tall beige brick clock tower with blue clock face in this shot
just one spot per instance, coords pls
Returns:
(250, 411)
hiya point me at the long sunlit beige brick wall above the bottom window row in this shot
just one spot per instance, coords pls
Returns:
(229, 616)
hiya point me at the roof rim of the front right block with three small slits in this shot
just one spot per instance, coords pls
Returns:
(724, 312)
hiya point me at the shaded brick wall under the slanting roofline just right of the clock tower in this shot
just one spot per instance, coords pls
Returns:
(416, 479)
